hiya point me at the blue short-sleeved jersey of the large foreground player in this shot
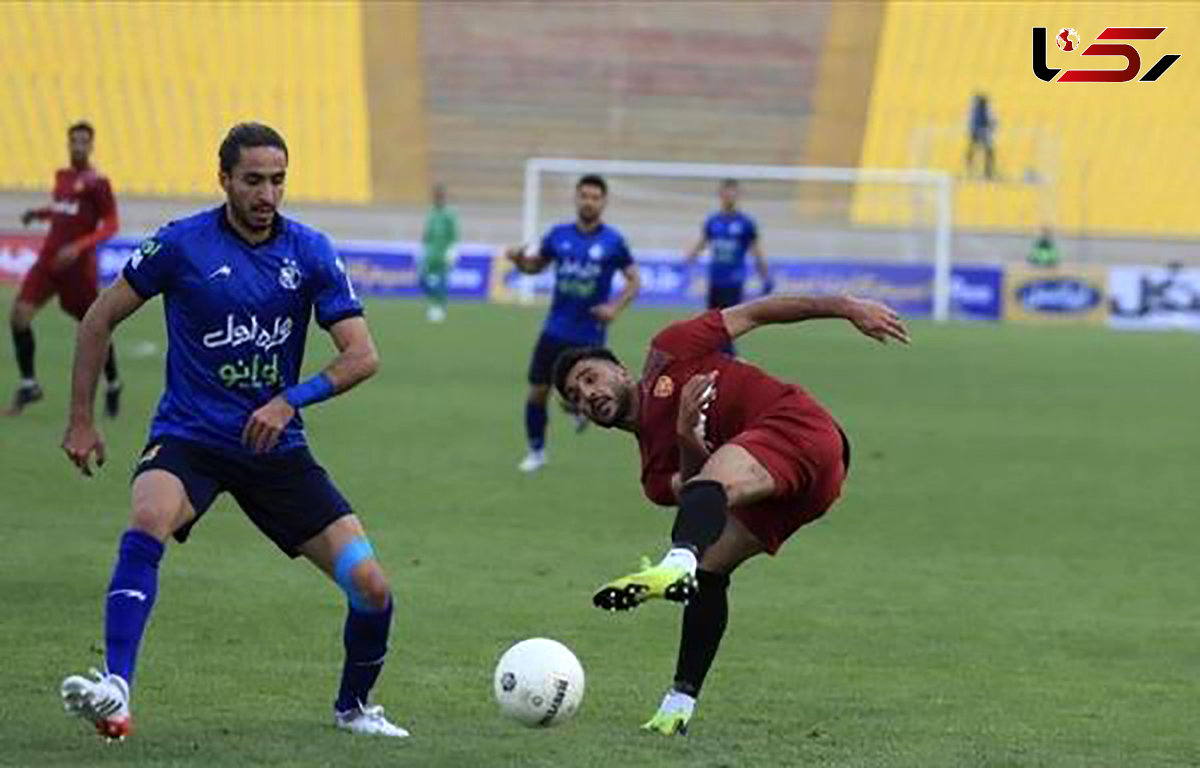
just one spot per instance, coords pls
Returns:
(237, 320)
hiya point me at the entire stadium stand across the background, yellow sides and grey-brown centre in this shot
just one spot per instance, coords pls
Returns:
(382, 98)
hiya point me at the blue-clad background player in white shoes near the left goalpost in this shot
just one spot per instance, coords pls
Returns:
(586, 254)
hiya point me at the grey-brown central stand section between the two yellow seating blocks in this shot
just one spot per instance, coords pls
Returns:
(662, 82)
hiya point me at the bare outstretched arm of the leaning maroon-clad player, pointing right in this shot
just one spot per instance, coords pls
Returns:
(872, 319)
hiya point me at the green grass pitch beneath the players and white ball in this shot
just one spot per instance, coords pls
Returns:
(1011, 578)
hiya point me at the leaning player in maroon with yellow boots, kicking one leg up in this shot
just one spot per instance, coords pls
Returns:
(747, 458)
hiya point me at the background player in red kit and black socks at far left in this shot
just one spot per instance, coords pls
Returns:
(82, 214)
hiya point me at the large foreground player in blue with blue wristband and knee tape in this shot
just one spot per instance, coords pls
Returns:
(239, 284)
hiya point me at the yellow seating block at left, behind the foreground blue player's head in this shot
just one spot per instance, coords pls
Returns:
(166, 87)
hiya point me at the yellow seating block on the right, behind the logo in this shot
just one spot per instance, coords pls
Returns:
(1114, 159)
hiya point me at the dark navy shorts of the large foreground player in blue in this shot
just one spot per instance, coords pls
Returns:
(287, 496)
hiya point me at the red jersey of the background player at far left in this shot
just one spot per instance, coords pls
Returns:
(82, 201)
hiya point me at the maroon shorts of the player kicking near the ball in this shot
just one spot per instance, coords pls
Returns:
(807, 457)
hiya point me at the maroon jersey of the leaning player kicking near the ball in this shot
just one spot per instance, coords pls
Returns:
(745, 393)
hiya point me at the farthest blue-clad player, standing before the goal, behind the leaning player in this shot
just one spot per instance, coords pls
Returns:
(730, 235)
